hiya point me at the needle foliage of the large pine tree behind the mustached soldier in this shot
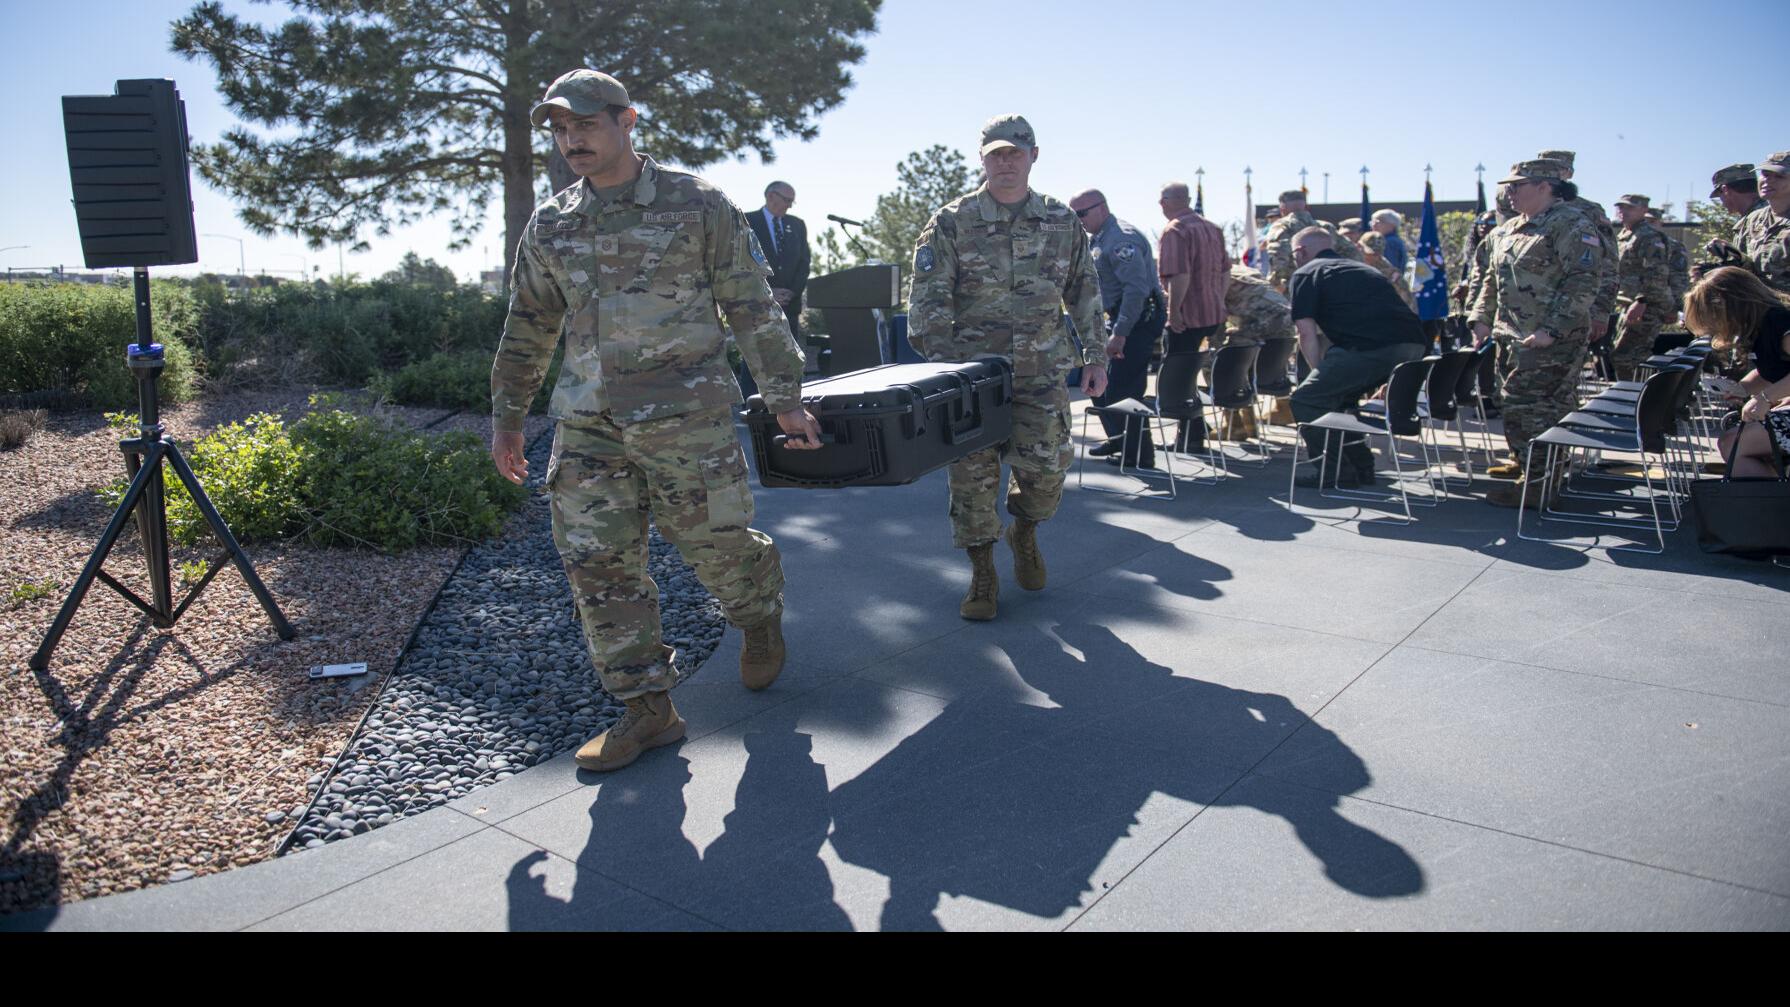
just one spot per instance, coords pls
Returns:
(384, 112)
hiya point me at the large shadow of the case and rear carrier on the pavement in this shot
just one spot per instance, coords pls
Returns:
(1039, 806)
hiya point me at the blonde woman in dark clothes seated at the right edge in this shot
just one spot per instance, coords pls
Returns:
(1737, 310)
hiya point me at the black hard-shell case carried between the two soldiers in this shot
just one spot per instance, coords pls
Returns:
(887, 427)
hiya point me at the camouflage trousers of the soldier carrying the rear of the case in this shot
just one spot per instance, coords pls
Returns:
(1039, 457)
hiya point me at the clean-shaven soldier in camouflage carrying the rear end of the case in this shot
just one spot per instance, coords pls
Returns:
(993, 273)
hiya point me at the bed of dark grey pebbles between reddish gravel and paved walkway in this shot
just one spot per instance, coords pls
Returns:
(499, 681)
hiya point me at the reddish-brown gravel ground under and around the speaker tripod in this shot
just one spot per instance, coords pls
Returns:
(148, 756)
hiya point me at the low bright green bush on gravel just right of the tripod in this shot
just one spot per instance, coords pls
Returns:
(339, 478)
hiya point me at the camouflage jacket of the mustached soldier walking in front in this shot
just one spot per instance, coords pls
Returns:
(640, 287)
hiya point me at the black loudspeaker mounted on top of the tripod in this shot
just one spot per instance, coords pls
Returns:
(128, 165)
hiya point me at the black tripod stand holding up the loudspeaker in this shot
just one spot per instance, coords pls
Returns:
(148, 500)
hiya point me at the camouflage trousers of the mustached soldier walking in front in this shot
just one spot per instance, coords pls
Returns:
(688, 475)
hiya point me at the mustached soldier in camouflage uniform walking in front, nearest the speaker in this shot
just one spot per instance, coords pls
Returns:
(636, 266)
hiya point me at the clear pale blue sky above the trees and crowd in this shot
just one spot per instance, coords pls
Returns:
(1123, 94)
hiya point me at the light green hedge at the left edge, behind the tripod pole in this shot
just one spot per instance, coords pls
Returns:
(72, 337)
